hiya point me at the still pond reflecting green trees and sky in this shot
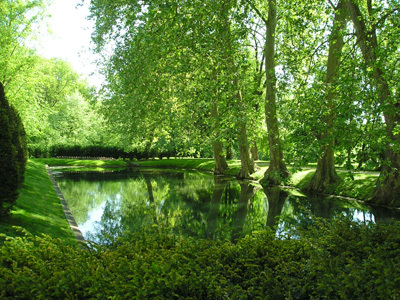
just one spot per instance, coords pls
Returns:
(107, 204)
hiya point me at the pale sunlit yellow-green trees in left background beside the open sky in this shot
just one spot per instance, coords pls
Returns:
(55, 104)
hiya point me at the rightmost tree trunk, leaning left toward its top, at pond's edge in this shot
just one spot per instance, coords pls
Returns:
(388, 186)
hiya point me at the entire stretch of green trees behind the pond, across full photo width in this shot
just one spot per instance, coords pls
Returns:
(292, 82)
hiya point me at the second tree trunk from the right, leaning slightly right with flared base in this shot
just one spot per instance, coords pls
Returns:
(325, 175)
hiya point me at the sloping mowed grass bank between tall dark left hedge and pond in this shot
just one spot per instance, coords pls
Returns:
(38, 208)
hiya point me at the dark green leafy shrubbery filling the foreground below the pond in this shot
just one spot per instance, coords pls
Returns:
(330, 260)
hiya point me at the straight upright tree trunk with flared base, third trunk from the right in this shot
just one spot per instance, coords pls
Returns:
(277, 170)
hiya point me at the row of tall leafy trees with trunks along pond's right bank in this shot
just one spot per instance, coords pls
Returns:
(319, 76)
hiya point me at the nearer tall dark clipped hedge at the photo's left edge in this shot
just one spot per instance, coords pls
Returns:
(8, 162)
